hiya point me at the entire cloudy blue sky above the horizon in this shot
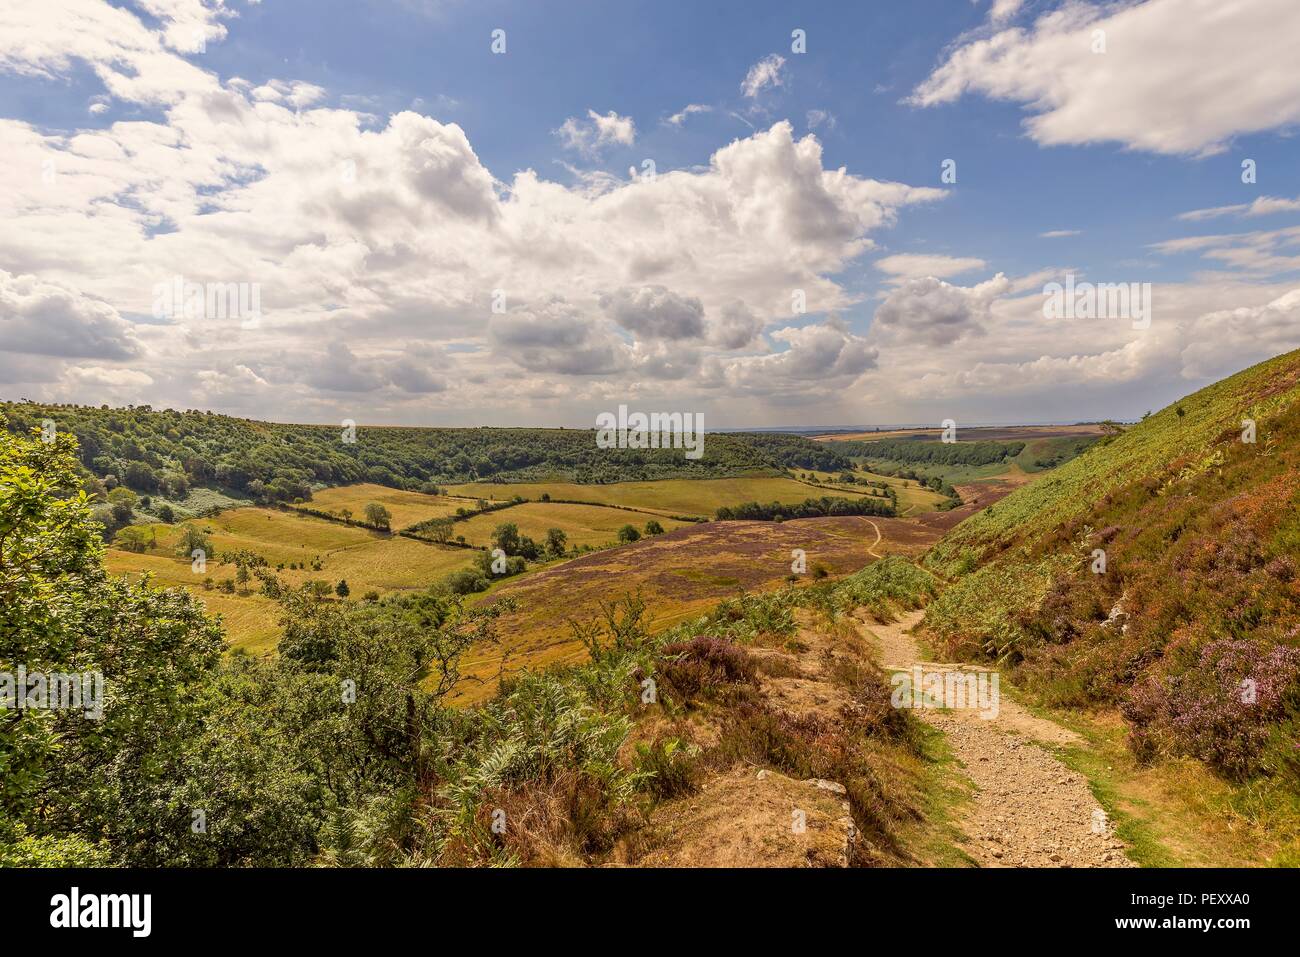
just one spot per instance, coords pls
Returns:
(201, 163)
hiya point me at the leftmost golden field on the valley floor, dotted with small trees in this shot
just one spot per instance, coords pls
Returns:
(367, 561)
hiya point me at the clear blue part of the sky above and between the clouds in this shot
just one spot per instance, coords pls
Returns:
(648, 62)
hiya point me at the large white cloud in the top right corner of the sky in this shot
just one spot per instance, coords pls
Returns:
(1167, 83)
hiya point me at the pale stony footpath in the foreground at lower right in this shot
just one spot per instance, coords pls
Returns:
(1029, 809)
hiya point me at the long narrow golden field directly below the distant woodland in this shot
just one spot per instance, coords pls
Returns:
(703, 497)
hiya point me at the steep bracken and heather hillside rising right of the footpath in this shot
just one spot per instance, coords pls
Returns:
(1193, 625)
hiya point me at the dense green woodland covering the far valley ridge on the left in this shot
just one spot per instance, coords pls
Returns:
(167, 453)
